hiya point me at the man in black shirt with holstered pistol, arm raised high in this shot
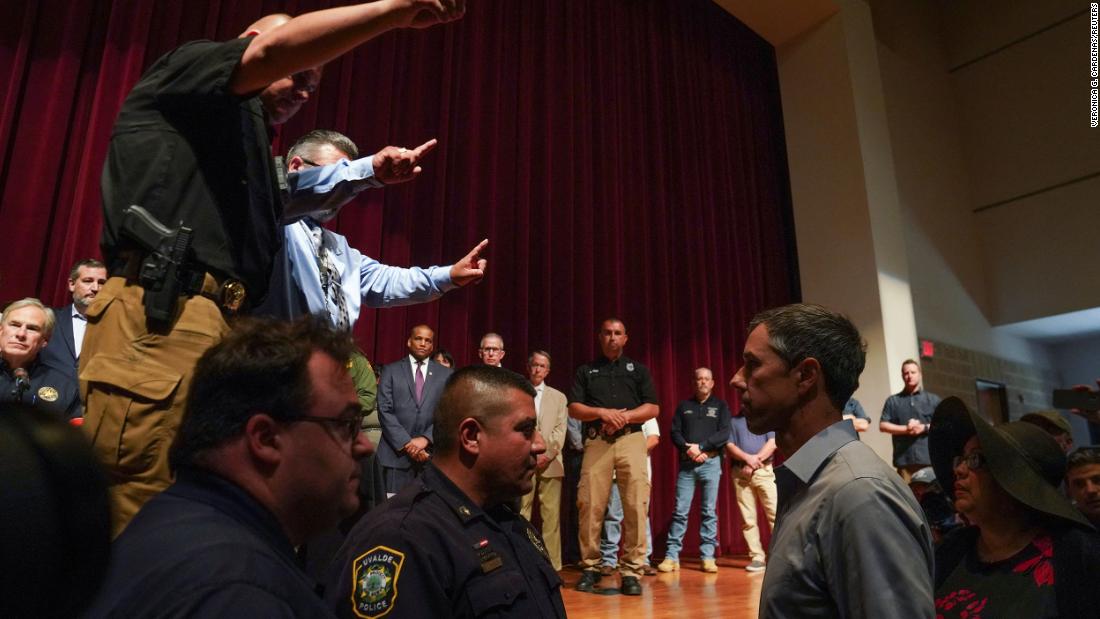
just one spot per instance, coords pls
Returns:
(192, 145)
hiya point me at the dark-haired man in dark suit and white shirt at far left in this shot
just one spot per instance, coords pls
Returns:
(64, 350)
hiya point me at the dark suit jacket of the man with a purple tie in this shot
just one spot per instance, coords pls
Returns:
(402, 418)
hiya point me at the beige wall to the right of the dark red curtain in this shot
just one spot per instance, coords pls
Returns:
(905, 119)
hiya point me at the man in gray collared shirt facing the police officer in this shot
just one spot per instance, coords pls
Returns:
(851, 540)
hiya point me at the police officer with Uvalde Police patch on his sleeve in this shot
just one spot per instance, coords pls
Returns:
(450, 545)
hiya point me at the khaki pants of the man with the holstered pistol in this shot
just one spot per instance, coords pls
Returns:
(135, 384)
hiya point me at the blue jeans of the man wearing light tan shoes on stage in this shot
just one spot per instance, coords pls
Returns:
(708, 474)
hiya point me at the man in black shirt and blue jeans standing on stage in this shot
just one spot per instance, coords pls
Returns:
(700, 432)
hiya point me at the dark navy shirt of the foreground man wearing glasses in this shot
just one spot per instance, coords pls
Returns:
(205, 548)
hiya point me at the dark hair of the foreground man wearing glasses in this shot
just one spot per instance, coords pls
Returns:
(260, 368)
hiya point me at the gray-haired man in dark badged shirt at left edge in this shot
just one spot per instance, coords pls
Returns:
(25, 333)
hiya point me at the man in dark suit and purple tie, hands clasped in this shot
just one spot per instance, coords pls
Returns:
(409, 393)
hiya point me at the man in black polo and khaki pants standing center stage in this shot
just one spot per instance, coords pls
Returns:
(614, 396)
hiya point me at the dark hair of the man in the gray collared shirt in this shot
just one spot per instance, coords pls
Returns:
(800, 331)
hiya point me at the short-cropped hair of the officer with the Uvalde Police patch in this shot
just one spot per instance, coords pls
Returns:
(464, 397)
